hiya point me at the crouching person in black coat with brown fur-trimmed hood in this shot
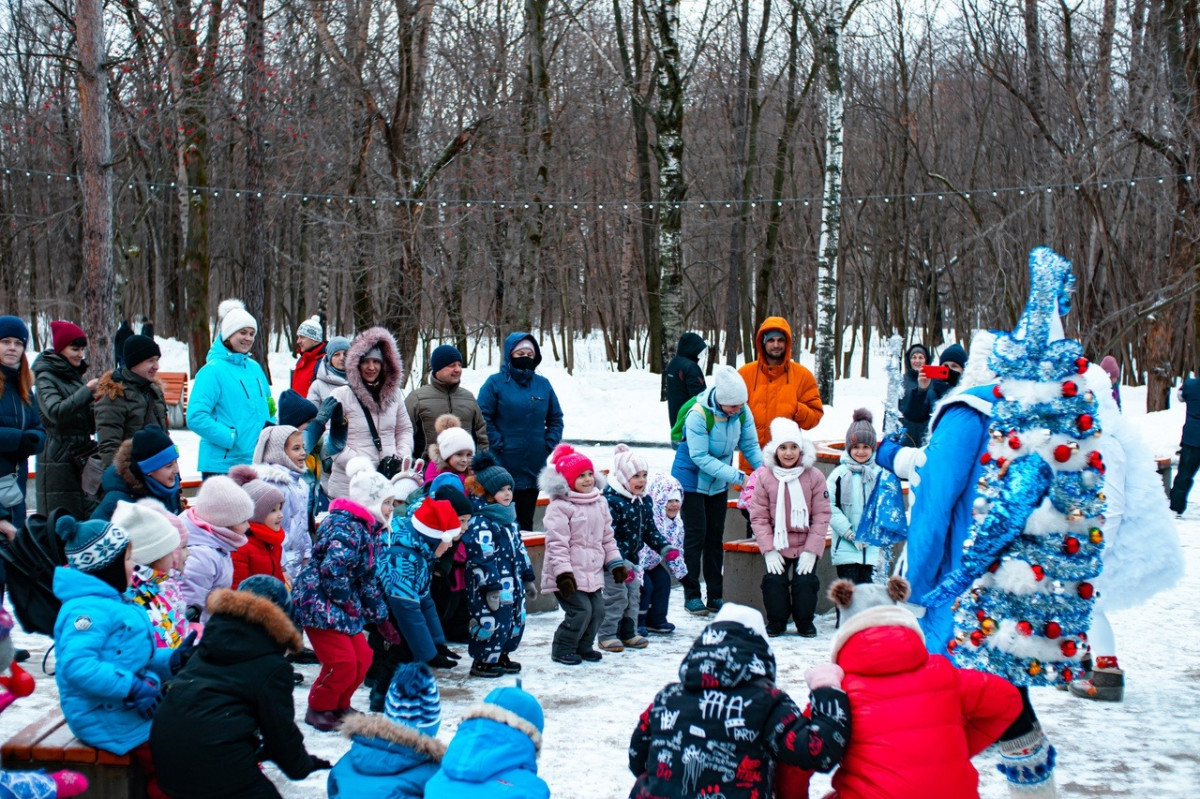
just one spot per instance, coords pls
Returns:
(231, 708)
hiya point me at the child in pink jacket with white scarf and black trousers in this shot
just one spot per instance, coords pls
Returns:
(790, 518)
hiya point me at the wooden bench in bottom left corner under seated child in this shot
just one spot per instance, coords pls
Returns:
(50, 744)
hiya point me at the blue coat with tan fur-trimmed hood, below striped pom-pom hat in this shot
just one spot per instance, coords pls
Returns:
(387, 761)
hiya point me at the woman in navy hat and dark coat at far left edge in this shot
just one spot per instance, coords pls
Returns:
(21, 426)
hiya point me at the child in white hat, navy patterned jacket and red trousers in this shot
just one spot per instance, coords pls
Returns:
(338, 594)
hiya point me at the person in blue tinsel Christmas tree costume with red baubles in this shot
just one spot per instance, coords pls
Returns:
(1025, 584)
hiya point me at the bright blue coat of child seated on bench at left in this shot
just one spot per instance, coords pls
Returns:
(103, 642)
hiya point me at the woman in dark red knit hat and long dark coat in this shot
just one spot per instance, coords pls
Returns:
(64, 401)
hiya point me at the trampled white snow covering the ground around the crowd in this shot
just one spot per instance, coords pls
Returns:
(1147, 747)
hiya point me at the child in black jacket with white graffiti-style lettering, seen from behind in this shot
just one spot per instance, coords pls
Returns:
(722, 728)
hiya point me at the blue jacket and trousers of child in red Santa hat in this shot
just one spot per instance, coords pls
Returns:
(406, 572)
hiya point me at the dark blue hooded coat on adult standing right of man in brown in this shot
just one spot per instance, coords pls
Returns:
(525, 422)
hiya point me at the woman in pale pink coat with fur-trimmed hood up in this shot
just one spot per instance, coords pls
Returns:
(374, 374)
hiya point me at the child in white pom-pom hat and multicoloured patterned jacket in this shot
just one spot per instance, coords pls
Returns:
(155, 584)
